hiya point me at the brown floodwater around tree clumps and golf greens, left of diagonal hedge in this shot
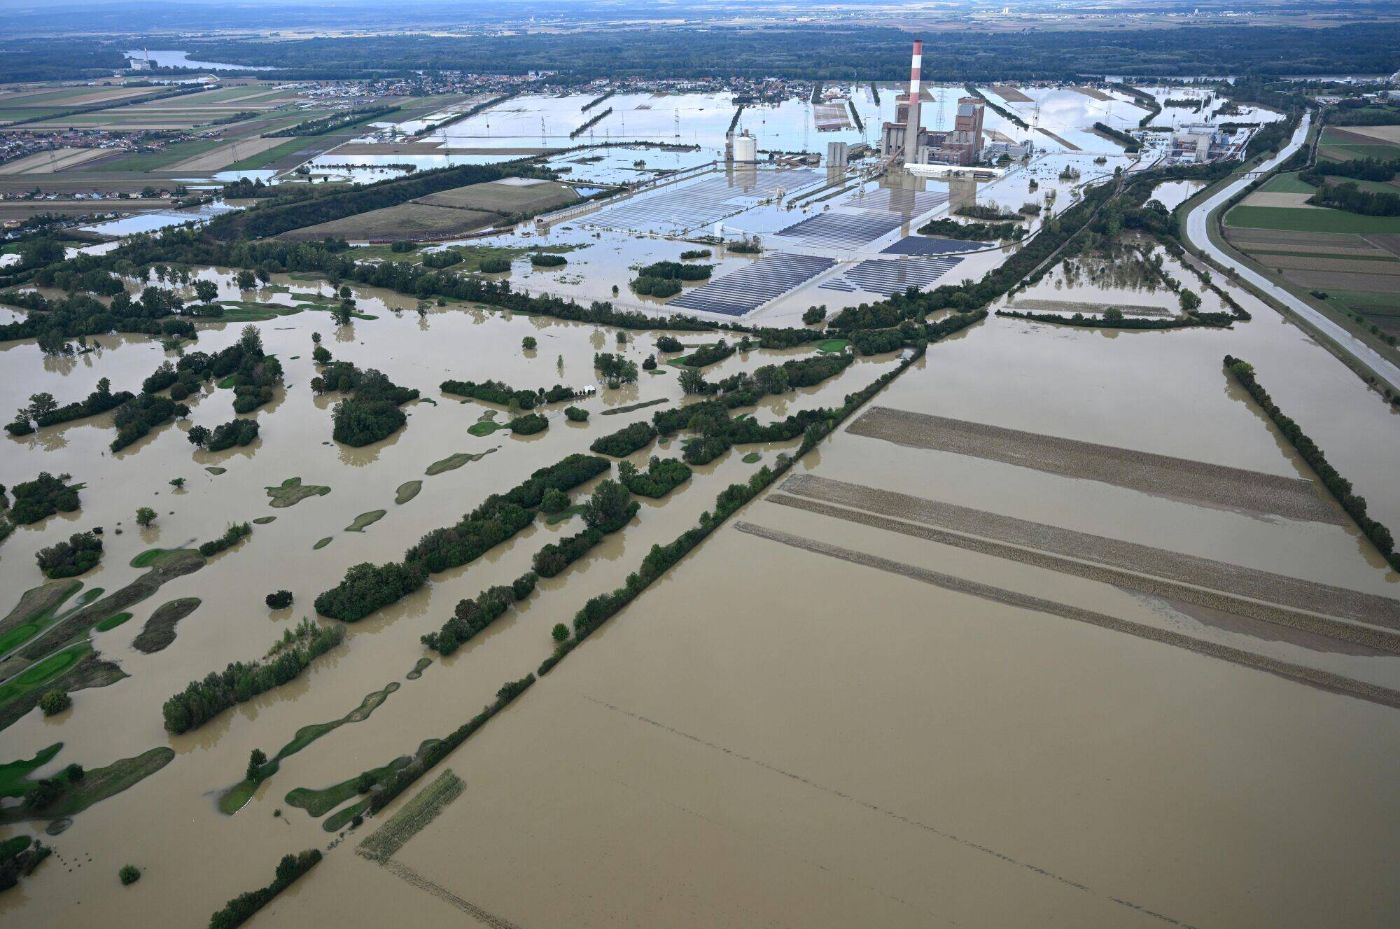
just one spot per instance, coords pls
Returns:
(233, 623)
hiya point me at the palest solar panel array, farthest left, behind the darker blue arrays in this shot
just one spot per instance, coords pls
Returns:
(695, 206)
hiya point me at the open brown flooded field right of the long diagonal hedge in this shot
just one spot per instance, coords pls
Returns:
(694, 779)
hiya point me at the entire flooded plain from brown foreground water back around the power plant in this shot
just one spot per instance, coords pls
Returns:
(1067, 602)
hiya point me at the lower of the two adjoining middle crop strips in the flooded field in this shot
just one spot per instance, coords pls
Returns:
(1367, 639)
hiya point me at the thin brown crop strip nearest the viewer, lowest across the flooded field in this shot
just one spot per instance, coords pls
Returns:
(1298, 674)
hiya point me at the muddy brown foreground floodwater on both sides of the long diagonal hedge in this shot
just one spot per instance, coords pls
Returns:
(769, 735)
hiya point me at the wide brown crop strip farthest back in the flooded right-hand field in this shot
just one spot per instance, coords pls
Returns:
(1158, 475)
